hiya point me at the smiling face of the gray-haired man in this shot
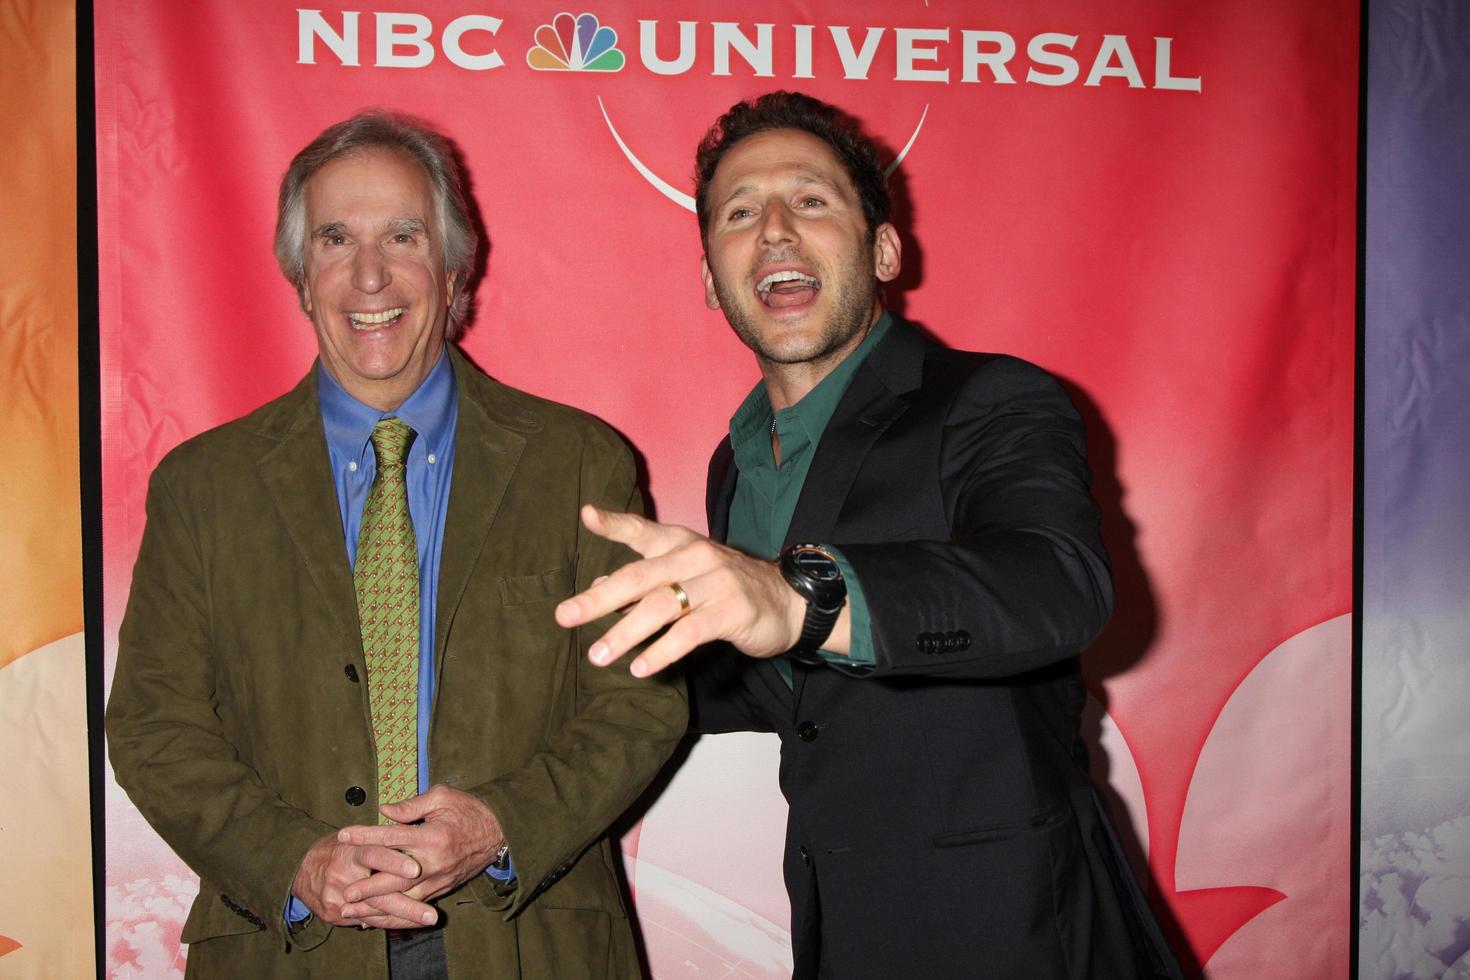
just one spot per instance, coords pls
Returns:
(376, 284)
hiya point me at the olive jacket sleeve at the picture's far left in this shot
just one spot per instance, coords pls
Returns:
(167, 743)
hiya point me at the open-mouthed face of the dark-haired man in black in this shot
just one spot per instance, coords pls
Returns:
(789, 253)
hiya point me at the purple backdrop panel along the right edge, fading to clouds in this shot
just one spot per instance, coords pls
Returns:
(1416, 558)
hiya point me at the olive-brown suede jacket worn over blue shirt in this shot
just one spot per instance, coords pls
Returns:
(240, 731)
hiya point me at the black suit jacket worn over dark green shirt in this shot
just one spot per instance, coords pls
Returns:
(942, 822)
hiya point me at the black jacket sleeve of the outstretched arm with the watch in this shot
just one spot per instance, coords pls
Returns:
(1024, 580)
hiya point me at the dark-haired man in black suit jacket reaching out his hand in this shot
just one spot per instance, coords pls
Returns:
(915, 643)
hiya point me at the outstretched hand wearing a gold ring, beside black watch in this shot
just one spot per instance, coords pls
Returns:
(731, 597)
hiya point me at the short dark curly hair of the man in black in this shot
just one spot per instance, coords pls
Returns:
(795, 111)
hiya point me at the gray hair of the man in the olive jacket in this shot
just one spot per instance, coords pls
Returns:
(376, 129)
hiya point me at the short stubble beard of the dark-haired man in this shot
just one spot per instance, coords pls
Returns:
(855, 290)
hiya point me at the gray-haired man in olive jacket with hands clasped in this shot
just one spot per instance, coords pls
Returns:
(343, 606)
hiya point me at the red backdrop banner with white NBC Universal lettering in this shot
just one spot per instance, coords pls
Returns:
(1152, 201)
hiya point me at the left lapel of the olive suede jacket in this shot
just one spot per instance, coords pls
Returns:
(298, 475)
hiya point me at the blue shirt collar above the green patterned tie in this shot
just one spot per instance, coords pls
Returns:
(430, 412)
